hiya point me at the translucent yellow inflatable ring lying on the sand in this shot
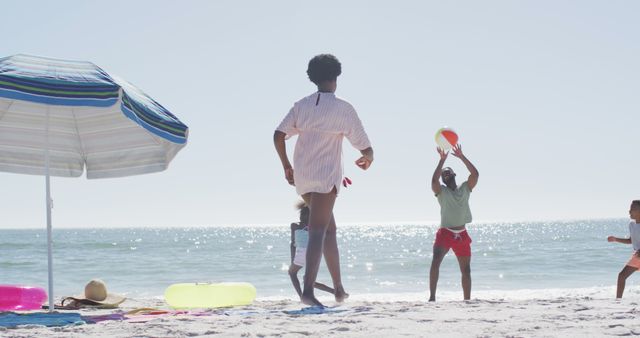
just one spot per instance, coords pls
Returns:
(209, 295)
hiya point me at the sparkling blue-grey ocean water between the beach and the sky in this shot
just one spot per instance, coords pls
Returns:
(375, 259)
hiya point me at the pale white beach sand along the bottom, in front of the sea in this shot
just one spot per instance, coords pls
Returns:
(572, 315)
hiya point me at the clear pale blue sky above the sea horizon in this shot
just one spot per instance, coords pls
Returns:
(545, 96)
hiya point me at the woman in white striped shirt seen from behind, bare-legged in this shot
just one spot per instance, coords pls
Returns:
(321, 120)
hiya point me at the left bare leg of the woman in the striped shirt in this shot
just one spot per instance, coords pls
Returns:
(321, 207)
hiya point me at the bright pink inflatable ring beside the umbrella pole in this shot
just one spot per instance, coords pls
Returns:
(20, 298)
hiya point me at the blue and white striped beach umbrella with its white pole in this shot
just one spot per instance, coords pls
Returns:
(60, 118)
